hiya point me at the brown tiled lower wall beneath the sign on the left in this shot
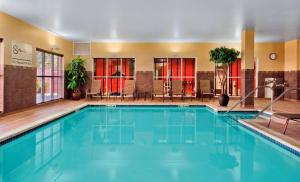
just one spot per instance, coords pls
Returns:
(19, 87)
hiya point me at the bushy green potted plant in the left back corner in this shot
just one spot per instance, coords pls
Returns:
(76, 76)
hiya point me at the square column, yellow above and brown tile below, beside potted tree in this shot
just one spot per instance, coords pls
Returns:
(247, 52)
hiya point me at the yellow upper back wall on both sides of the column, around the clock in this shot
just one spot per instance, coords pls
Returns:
(145, 52)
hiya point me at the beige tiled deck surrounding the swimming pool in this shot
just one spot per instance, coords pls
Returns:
(16, 123)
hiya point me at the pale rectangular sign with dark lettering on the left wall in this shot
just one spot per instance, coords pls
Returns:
(21, 54)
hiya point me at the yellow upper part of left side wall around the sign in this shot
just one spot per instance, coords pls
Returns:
(12, 28)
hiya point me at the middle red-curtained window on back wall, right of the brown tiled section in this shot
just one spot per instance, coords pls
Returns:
(183, 69)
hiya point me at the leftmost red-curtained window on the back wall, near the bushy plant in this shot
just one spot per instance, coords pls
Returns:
(113, 72)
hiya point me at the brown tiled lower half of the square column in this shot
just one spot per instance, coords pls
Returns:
(247, 86)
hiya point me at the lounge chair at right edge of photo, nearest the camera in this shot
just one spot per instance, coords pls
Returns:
(286, 117)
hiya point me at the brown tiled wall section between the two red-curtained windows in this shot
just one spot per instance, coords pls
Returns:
(144, 81)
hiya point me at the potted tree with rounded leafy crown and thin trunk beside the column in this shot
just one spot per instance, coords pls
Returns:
(223, 57)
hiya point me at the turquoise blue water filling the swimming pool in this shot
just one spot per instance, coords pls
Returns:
(141, 144)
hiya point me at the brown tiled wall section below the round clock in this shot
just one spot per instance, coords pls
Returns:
(279, 75)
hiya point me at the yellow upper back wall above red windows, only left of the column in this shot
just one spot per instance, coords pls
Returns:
(145, 52)
